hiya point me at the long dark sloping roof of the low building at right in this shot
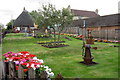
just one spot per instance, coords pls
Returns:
(108, 20)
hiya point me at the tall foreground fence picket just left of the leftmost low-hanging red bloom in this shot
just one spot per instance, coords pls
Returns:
(12, 73)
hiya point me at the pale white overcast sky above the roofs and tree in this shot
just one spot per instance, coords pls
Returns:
(11, 9)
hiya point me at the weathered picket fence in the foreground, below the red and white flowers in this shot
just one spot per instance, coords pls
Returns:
(8, 71)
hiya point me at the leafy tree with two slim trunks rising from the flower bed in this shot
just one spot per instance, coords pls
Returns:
(50, 16)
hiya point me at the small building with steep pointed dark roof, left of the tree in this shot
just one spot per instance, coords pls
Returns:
(24, 21)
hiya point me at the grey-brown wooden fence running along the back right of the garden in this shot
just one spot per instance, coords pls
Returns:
(108, 34)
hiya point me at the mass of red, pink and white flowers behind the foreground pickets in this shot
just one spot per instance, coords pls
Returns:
(27, 60)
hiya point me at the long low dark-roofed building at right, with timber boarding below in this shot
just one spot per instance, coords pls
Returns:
(103, 27)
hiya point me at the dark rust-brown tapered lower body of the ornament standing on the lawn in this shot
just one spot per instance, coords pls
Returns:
(87, 57)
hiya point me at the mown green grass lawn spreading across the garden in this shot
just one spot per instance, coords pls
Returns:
(65, 60)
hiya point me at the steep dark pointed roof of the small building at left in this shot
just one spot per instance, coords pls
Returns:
(24, 20)
